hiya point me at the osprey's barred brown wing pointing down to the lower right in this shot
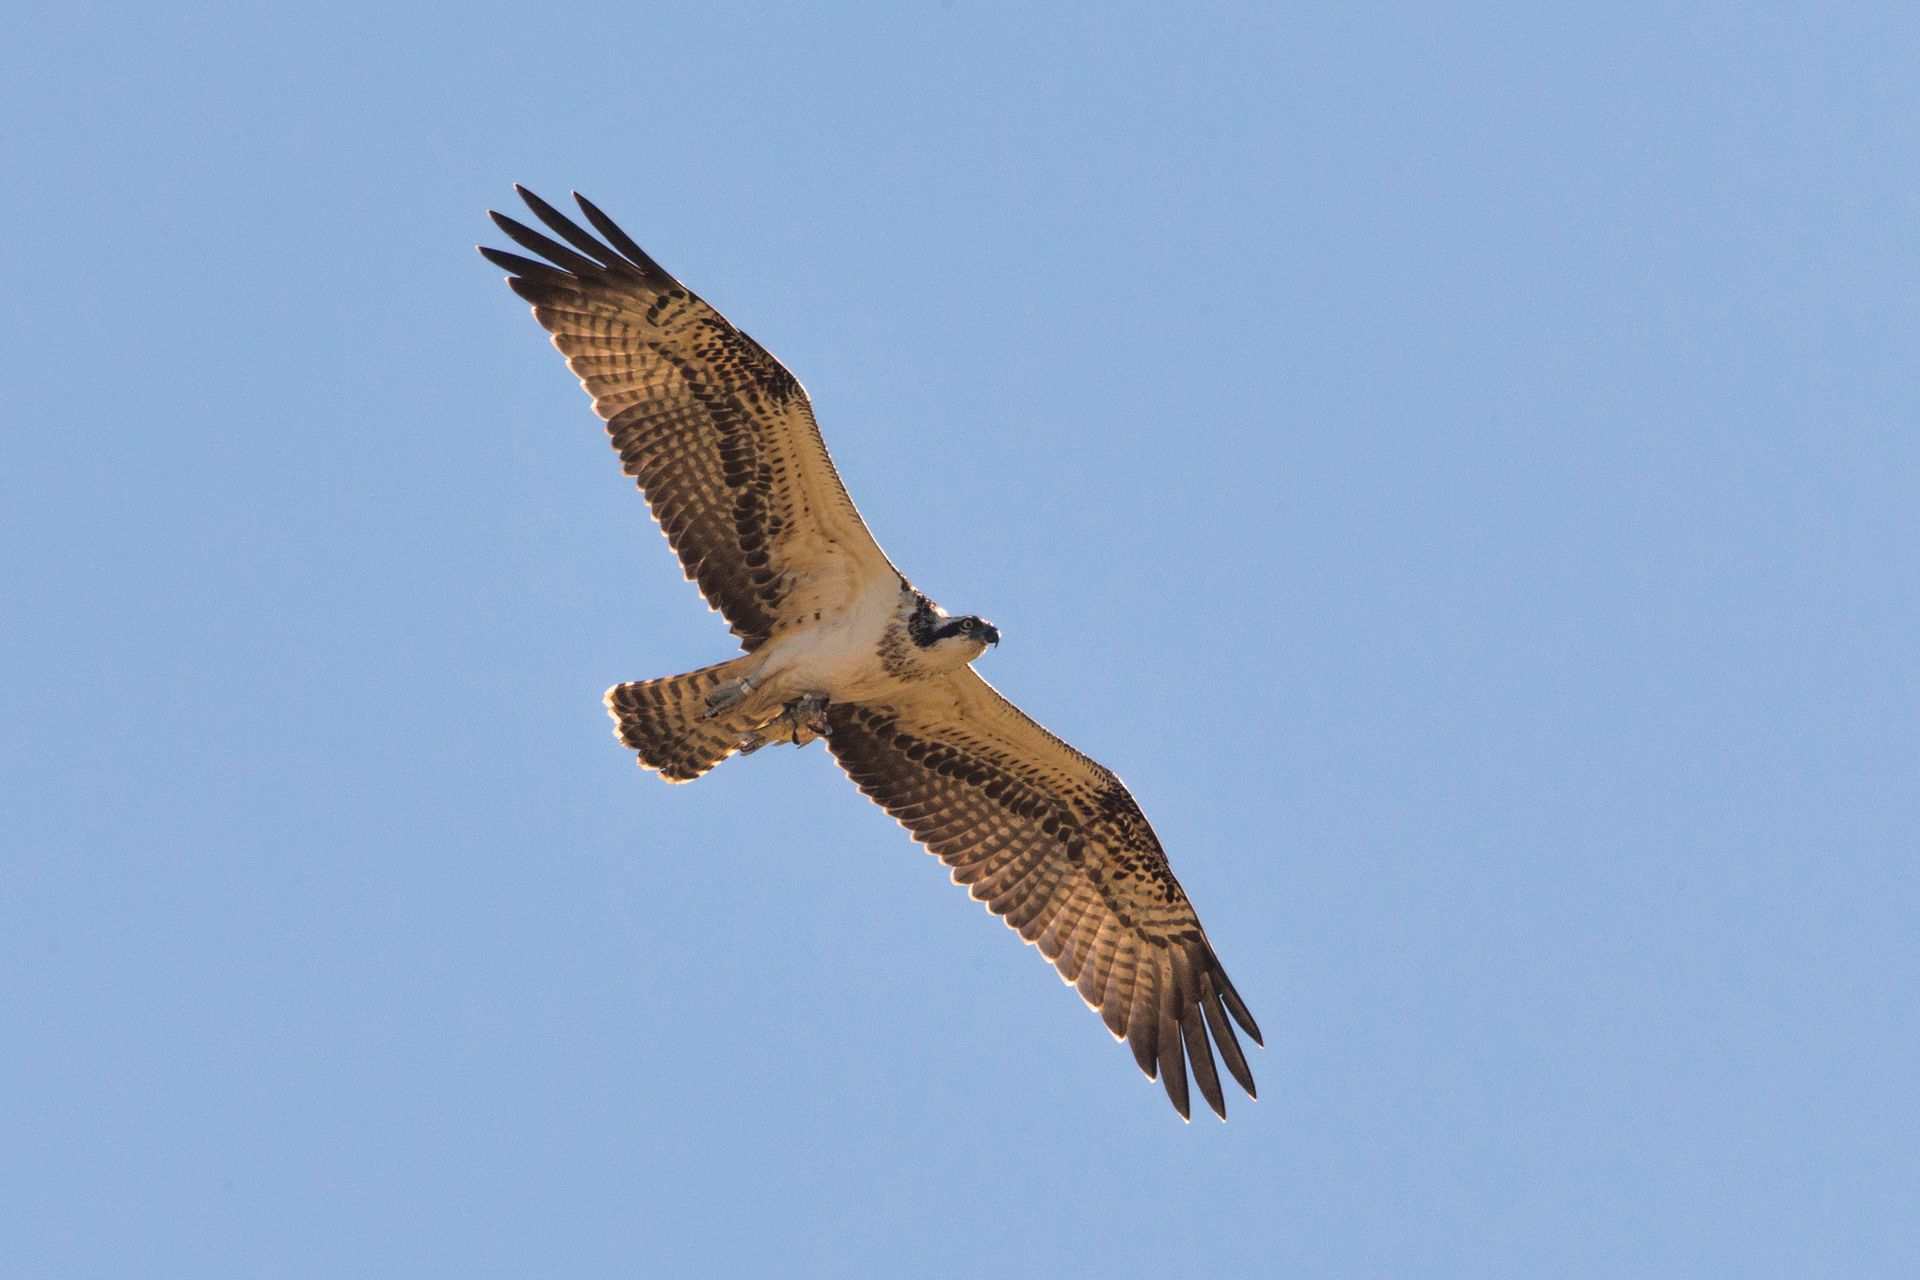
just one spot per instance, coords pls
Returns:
(1057, 845)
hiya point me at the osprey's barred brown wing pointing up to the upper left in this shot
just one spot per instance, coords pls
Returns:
(715, 431)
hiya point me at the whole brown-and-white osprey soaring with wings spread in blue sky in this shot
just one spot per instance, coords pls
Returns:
(842, 648)
